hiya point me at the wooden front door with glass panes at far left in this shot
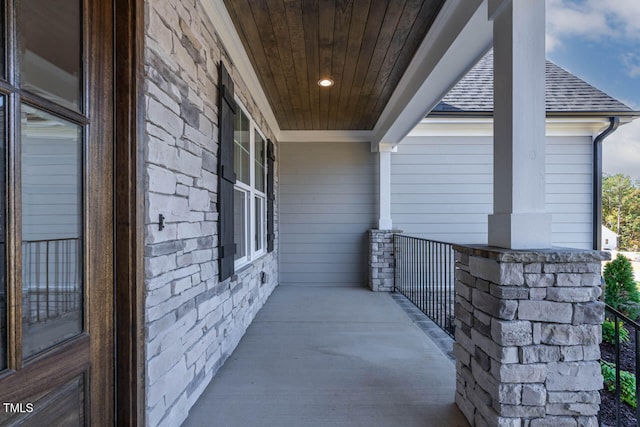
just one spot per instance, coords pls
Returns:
(56, 213)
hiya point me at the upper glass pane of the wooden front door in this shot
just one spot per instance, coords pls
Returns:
(50, 47)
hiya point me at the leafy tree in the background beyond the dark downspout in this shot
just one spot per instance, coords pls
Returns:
(621, 209)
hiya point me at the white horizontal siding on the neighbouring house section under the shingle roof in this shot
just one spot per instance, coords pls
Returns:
(442, 188)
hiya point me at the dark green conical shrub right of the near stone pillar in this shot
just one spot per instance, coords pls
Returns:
(620, 288)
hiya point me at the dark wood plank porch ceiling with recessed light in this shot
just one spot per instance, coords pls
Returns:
(364, 46)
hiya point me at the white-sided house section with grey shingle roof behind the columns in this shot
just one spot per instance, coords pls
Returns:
(442, 172)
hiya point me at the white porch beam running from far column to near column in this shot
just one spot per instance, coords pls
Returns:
(459, 37)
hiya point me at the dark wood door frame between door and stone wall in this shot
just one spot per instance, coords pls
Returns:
(129, 203)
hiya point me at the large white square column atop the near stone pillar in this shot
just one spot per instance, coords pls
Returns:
(519, 220)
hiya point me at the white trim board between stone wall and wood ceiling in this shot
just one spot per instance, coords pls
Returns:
(232, 45)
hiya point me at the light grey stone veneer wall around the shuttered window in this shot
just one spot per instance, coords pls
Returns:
(193, 322)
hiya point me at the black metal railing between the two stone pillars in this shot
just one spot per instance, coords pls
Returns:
(425, 274)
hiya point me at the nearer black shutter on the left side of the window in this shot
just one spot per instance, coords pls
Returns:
(226, 175)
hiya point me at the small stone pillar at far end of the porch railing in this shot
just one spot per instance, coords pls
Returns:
(381, 260)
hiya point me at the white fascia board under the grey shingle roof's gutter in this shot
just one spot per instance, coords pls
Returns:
(555, 126)
